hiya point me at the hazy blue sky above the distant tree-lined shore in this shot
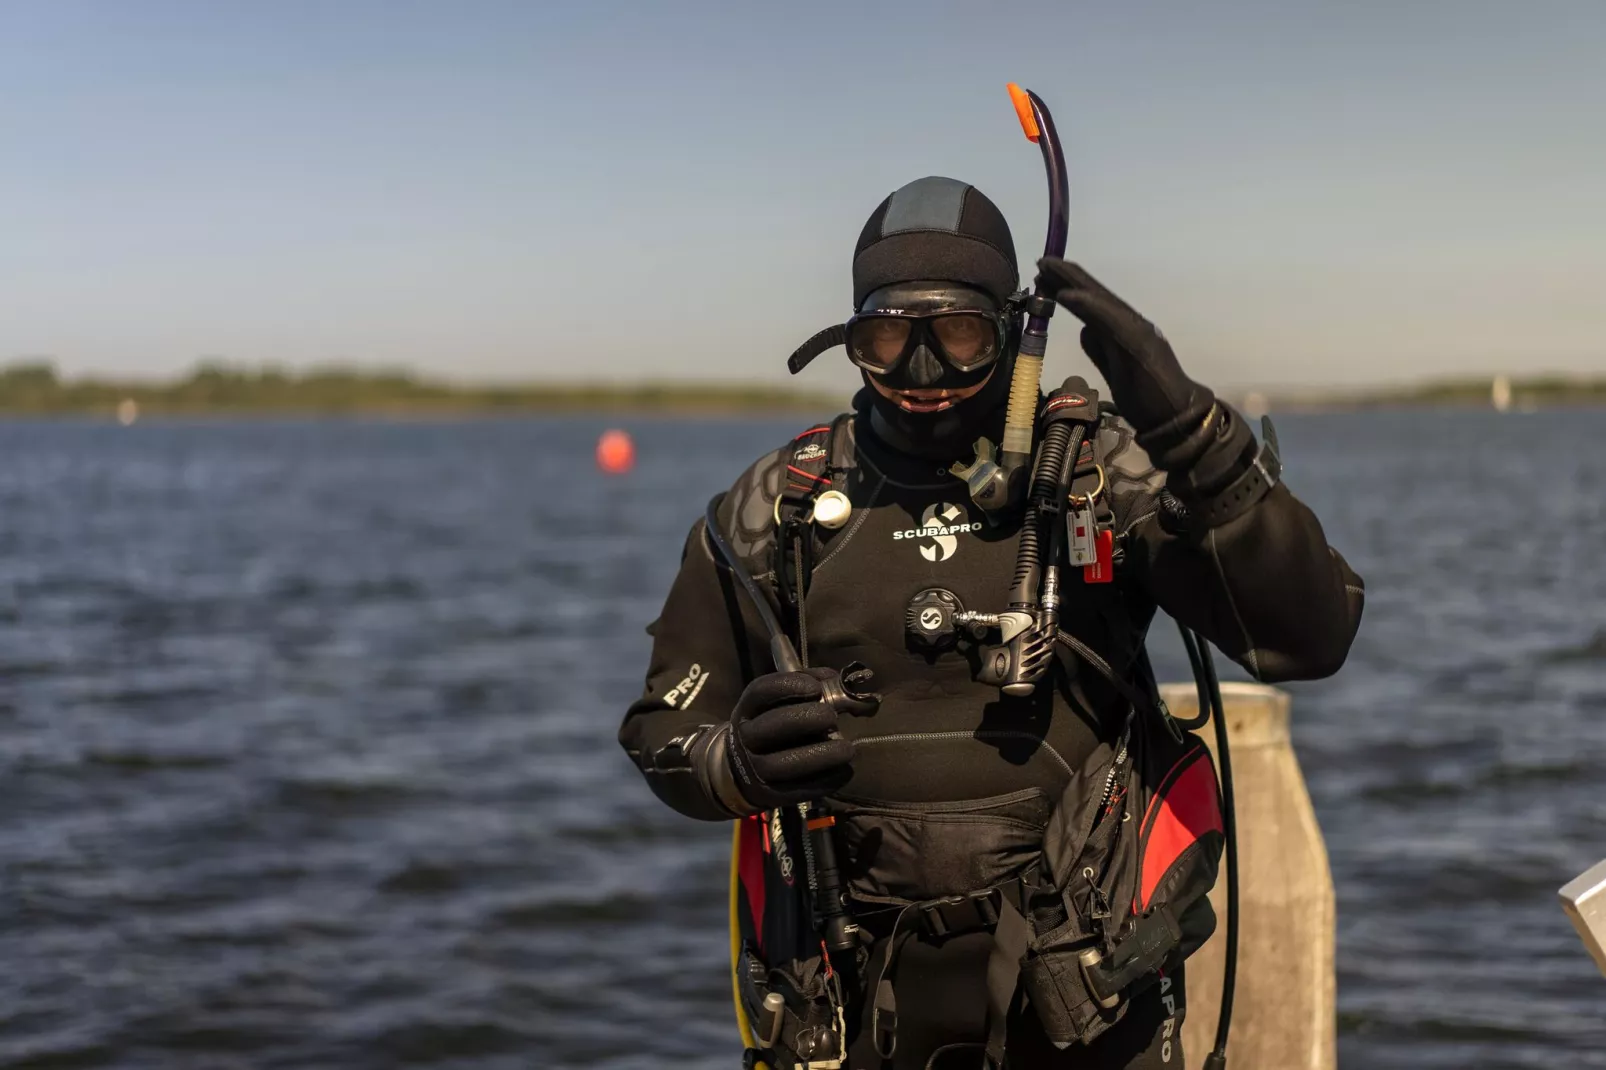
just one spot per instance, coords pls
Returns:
(1298, 194)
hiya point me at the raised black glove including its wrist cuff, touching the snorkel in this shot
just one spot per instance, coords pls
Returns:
(1180, 423)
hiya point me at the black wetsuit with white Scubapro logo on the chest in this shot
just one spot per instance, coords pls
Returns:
(1265, 587)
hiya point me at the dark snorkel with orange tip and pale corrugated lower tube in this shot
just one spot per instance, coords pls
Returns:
(997, 478)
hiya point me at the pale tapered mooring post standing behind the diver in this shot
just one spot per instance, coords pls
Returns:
(1286, 1003)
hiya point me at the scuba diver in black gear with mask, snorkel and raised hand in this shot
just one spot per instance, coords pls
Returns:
(969, 831)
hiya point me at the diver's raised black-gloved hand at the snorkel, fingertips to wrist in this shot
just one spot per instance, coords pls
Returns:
(1146, 380)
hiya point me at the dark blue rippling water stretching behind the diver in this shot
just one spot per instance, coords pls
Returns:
(308, 743)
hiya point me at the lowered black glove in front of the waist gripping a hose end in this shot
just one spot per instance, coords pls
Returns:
(785, 745)
